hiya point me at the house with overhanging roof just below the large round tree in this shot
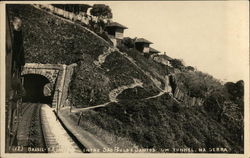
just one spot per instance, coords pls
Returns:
(115, 32)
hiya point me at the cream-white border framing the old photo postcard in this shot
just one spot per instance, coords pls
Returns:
(108, 155)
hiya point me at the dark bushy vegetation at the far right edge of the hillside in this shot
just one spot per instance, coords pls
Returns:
(228, 109)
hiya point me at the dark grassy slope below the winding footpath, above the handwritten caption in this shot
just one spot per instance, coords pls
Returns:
(155, 123)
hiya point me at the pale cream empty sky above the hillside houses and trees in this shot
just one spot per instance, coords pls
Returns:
(212, 36)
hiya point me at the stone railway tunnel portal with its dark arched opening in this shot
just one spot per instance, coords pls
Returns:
(47, 83)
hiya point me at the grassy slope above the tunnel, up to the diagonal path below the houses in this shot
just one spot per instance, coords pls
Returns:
(49, 39)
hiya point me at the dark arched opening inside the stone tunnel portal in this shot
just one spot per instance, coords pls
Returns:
(38, 89)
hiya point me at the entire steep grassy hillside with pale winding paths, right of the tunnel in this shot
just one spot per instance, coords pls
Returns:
(133, 89)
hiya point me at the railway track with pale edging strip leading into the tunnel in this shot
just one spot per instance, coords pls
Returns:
(40, 132)
